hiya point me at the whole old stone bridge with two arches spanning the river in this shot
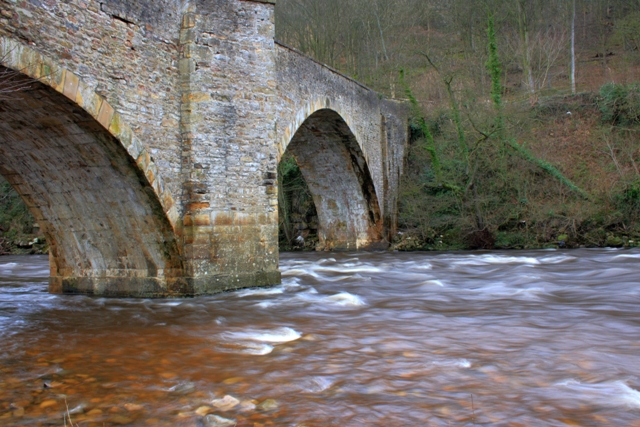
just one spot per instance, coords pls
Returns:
(145, 140)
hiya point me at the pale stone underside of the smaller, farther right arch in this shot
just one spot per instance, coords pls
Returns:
(338, 178)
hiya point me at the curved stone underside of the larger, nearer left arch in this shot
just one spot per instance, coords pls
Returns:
(107, 231)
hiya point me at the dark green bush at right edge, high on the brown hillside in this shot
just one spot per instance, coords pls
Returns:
(620, 104)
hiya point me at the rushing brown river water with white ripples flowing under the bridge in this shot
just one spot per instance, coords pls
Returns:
(538, 338)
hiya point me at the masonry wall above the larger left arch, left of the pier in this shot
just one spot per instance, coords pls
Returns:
(124, 50)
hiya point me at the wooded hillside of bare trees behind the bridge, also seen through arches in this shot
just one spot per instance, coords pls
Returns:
(525, 119)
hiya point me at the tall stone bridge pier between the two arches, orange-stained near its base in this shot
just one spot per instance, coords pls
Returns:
(228, 127)
